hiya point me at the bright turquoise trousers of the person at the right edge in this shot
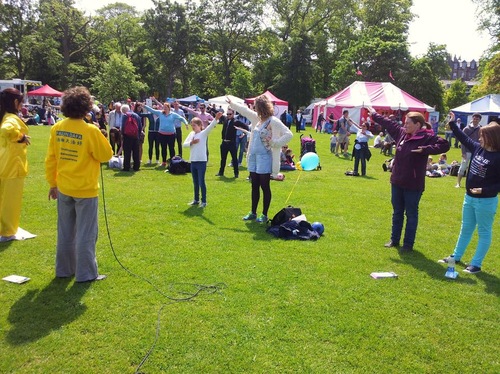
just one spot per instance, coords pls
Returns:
(478, 212)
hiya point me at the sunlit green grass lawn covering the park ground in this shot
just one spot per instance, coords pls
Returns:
(275, 306)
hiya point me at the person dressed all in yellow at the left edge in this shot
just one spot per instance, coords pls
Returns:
(14, 141)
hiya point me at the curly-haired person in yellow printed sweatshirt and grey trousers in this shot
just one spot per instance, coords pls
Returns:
(76, 150)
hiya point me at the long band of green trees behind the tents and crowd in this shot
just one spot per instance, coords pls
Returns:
(299, 49)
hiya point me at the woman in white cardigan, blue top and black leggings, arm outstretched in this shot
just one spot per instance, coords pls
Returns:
(267, 135)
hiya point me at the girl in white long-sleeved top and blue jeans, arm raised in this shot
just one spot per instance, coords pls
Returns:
(197, 141)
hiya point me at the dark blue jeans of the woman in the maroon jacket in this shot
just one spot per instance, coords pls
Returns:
(404, 201)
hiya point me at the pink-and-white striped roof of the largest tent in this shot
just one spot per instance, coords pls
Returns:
(382, 96)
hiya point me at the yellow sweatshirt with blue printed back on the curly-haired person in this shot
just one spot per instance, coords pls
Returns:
(76, 150)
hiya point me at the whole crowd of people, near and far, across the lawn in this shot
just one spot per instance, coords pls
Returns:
(91, 134)
